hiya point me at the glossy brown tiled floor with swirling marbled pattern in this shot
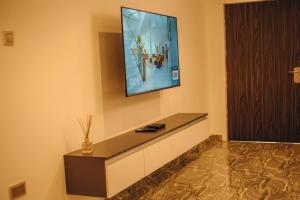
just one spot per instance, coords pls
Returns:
(237, 171)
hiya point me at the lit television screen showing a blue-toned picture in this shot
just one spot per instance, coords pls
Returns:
(150, 51)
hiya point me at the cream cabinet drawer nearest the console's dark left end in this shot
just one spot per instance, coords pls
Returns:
(124, 172)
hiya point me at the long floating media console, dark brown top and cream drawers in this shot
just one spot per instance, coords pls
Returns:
(121, 161)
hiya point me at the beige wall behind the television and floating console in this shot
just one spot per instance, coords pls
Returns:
(56, 72)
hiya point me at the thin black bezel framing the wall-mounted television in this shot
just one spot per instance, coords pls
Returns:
(124, 62)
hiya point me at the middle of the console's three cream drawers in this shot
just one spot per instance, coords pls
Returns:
(157, 155)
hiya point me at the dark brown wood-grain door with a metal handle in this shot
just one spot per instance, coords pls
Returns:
(262, 45)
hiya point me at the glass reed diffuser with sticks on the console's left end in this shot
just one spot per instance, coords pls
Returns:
(87, 145)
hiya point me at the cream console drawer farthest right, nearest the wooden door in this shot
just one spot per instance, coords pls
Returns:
(188, 138)
